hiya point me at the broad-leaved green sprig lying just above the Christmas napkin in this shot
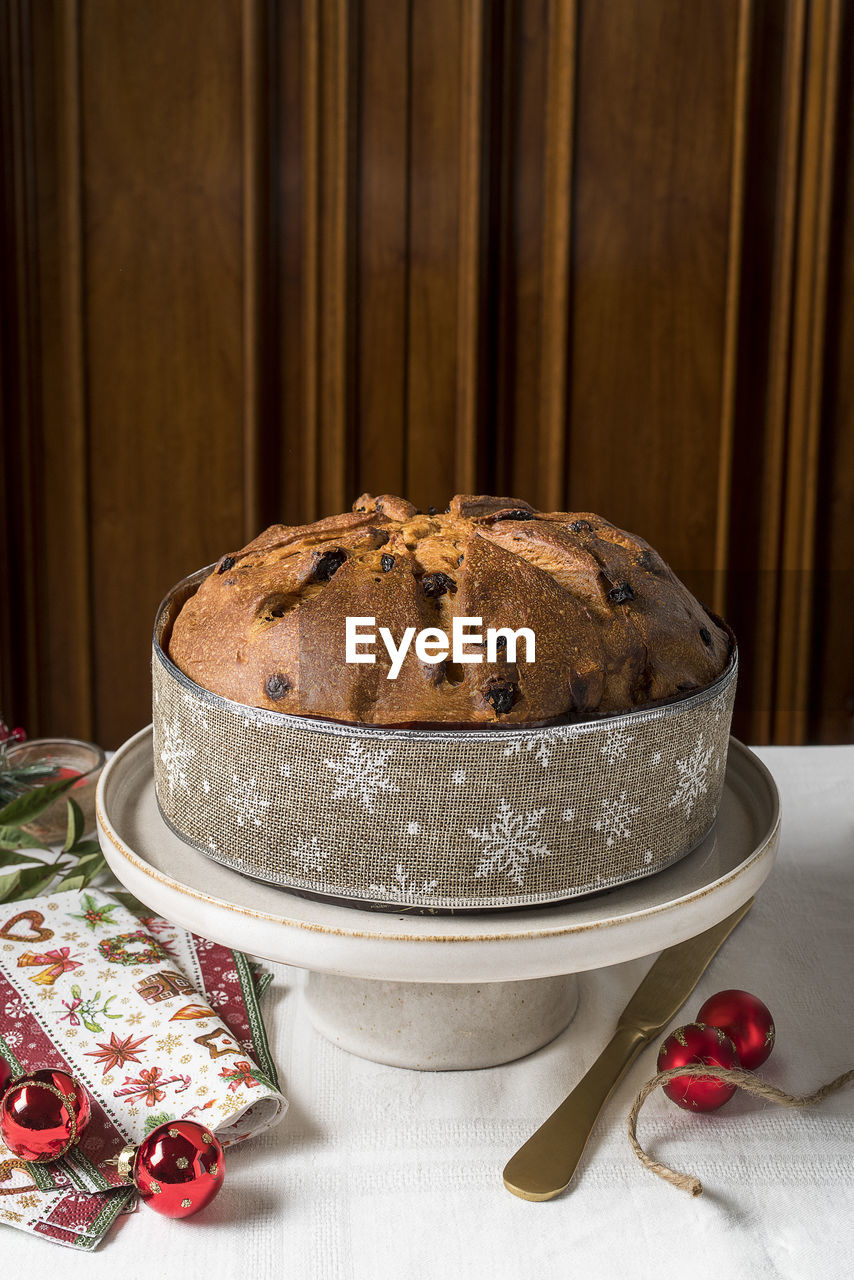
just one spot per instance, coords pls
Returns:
(75, 866)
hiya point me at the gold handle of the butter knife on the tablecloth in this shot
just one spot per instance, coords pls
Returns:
(544, 1168)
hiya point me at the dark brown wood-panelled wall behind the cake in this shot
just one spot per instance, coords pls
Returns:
(263, 255)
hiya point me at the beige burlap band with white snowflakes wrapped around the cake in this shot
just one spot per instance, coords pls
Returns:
(439, 820)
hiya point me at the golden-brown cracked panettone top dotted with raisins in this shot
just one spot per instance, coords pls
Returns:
(615, 628)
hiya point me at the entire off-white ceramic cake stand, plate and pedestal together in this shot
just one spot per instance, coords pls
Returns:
(439, 993)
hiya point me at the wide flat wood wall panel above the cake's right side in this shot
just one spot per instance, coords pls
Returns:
(654, 163)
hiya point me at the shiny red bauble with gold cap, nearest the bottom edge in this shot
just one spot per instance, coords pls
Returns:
(179, 1168)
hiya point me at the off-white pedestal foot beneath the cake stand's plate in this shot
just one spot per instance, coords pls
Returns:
(441, 1027)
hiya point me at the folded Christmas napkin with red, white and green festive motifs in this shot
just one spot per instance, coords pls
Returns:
(157, 1025)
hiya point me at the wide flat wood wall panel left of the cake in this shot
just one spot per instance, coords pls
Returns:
(165, 258)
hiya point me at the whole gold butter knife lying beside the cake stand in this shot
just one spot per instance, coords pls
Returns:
(544, 1168)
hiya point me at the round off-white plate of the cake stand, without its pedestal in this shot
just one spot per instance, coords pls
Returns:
(570, 938)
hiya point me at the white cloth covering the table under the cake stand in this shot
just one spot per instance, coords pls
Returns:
(378, 1172)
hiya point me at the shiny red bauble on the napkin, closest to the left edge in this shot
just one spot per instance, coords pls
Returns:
(43, 1114)
